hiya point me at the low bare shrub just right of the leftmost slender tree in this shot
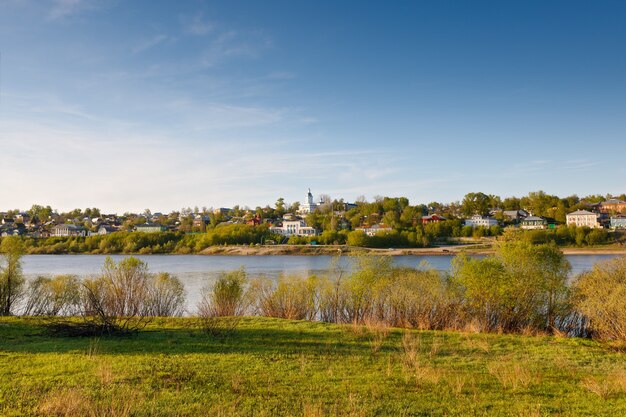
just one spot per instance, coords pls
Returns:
(53, 296)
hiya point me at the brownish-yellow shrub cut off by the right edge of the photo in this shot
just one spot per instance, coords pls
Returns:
(600, 295)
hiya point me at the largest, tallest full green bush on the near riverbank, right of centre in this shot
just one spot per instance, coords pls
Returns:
(520, 287)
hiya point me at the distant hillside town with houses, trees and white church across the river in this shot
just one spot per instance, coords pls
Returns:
(381, 222)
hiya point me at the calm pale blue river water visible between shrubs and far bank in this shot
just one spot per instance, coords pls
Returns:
(197, 271)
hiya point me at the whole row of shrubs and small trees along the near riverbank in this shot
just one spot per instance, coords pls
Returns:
(521, 288)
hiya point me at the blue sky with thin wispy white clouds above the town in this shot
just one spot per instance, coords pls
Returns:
(128, 105)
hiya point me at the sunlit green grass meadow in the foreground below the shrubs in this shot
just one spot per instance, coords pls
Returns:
(271, 367)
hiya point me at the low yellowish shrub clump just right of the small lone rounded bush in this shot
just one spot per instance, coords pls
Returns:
(293, 297)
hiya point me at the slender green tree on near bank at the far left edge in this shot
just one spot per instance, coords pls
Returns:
(11, 276)
